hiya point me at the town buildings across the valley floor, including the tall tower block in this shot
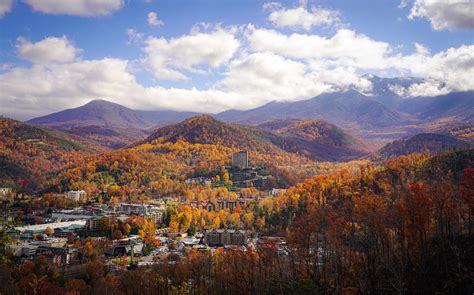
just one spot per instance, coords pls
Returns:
(127, 235)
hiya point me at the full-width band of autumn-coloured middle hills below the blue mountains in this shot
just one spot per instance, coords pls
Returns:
(29, 154)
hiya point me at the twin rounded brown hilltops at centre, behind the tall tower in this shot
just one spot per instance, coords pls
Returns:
(315, 140)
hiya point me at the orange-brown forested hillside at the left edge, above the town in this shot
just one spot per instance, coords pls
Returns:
(29, 154)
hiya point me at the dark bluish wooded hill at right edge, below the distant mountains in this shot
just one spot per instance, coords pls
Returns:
(423, 142)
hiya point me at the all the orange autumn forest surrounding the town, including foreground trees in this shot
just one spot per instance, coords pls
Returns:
(403, 226)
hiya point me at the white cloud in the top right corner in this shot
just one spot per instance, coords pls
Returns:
(446, 14)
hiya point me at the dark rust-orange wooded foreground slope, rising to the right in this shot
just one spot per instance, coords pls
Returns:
(397, 229)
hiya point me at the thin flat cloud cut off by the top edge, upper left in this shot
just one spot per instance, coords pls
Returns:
(76, 7)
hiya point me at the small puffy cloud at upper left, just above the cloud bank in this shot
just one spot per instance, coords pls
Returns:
(50, 49)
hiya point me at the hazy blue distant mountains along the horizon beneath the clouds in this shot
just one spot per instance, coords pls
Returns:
(378, 116)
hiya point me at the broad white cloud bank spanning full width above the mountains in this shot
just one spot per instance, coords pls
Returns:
(265, 65)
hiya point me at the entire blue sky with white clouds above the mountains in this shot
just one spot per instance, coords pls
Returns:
(214, 55)
